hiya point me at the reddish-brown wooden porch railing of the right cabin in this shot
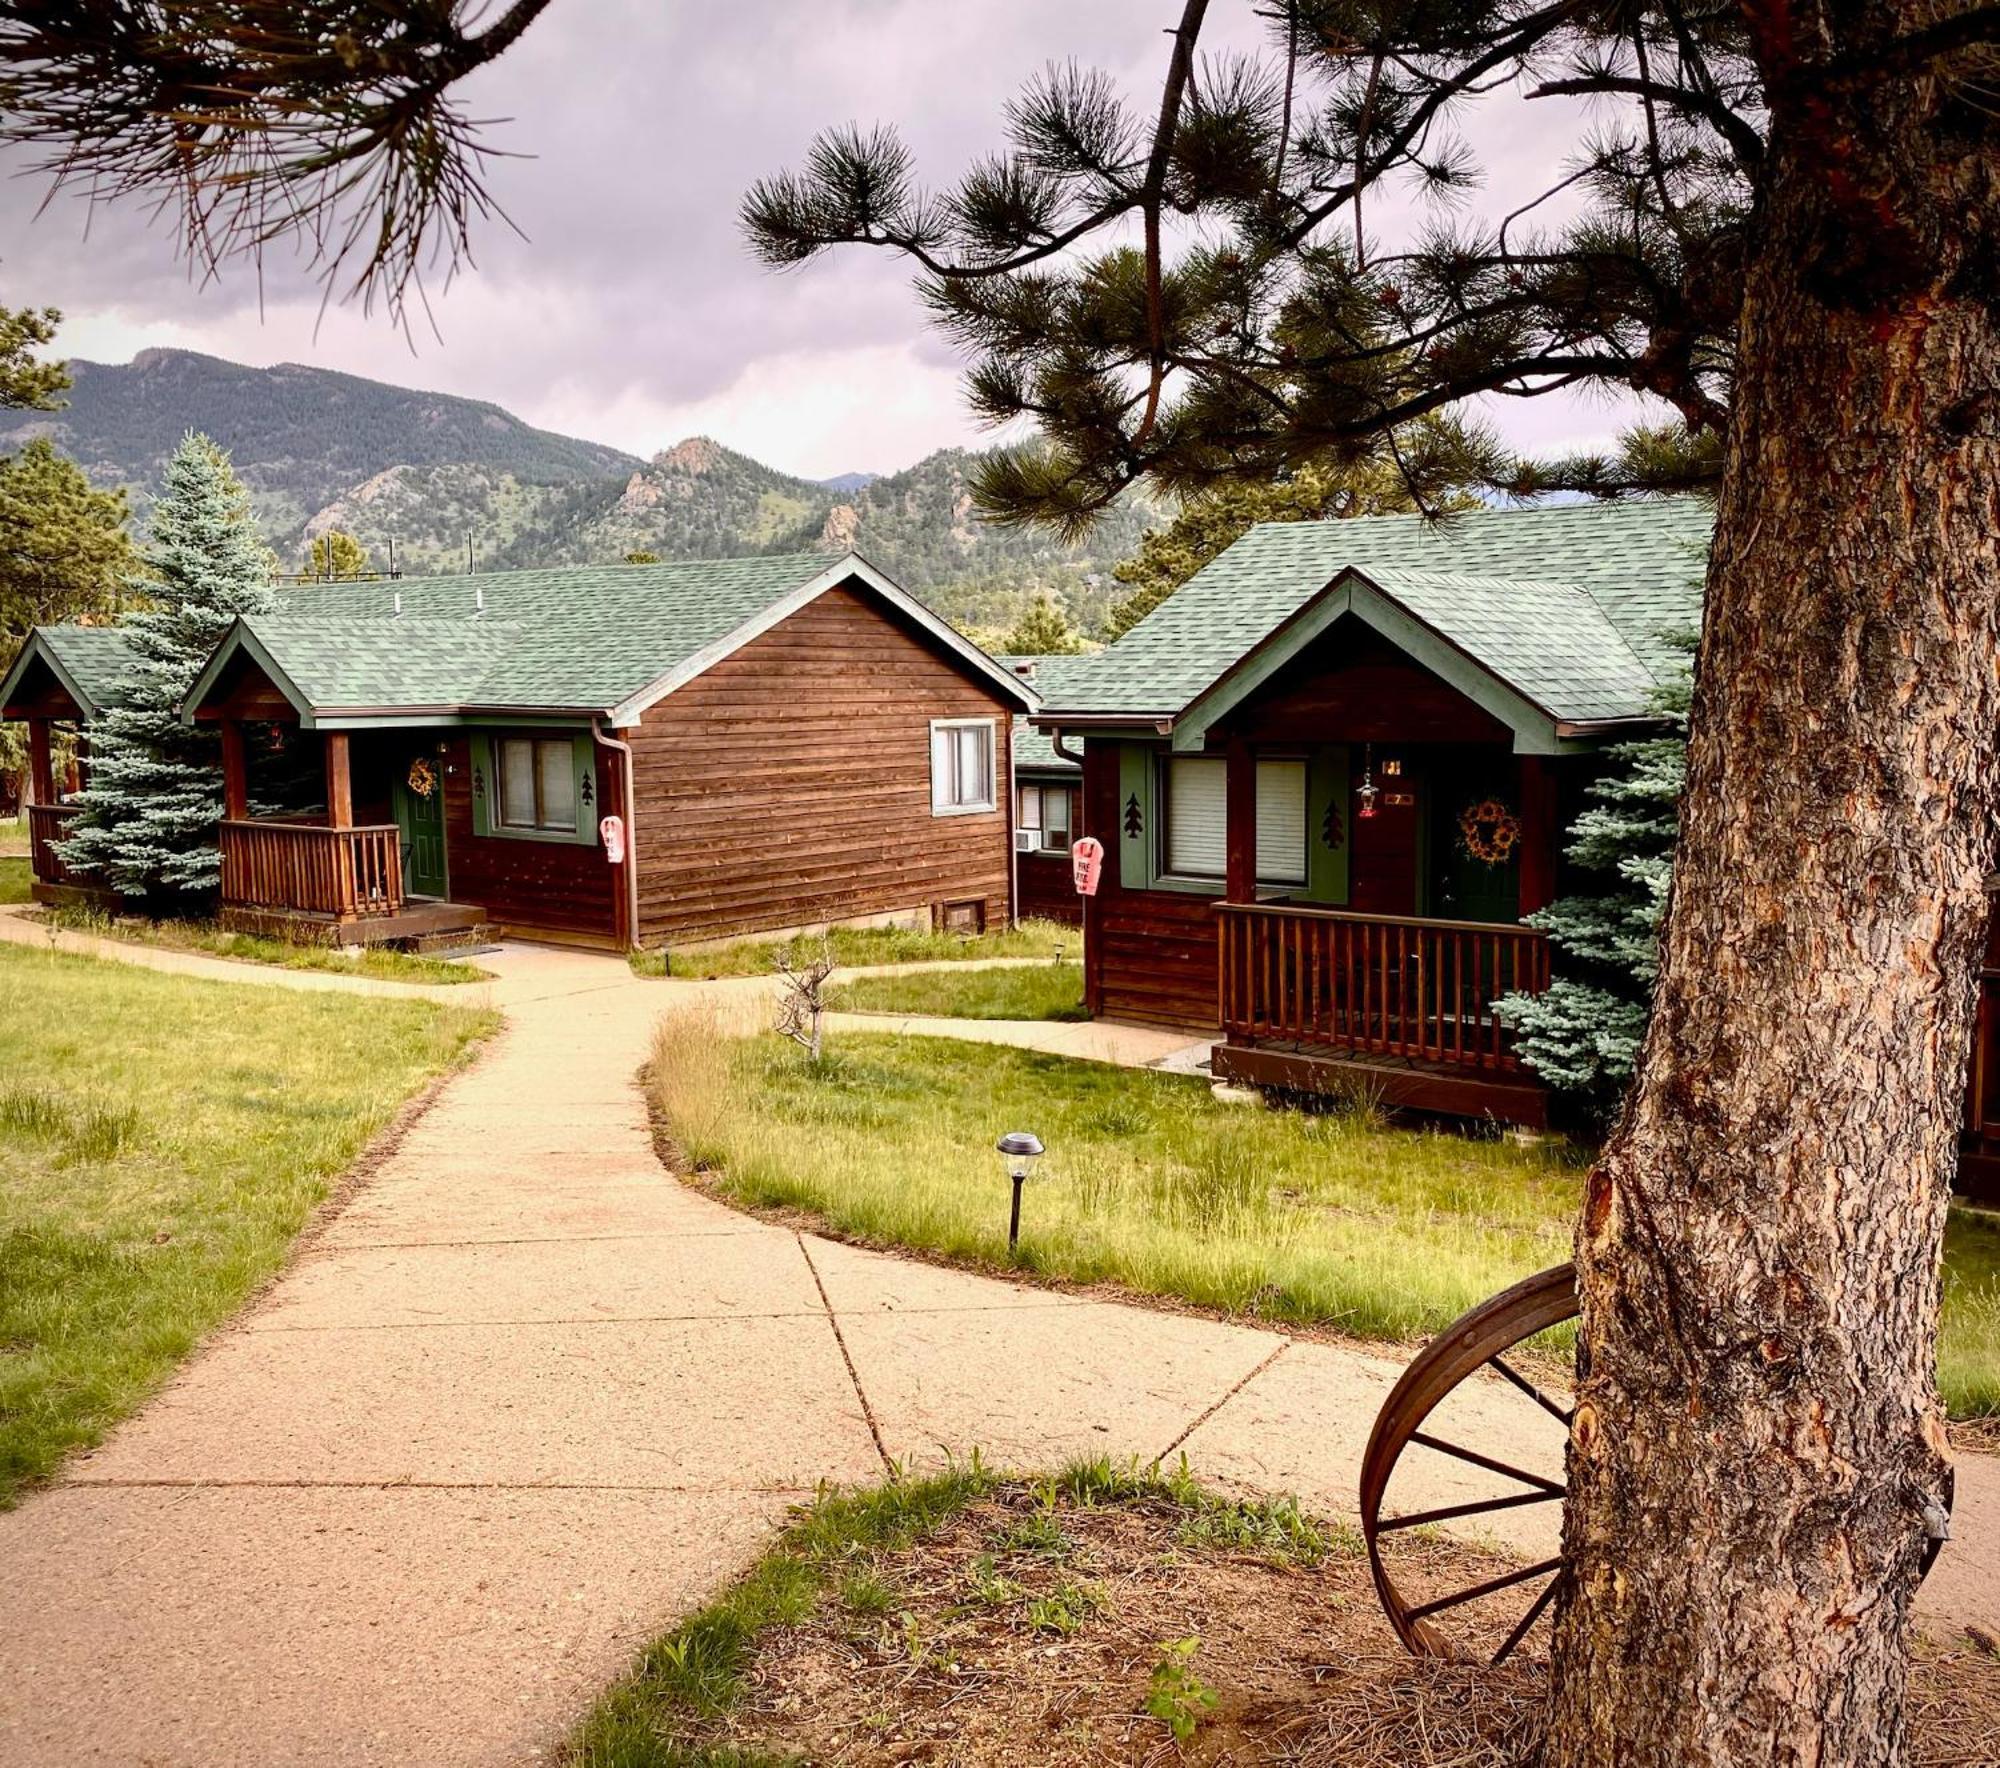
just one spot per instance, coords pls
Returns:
(1375, 983)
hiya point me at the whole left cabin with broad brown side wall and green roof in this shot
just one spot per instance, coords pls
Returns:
(785, 743)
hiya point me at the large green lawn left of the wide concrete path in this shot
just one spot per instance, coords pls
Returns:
(161, 1143)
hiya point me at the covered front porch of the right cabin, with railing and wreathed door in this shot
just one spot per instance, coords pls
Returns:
(1393, 993)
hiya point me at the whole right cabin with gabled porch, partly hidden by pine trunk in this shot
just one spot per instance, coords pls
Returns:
(1335, 771)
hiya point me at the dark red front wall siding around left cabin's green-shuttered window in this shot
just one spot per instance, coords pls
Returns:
(537, 889)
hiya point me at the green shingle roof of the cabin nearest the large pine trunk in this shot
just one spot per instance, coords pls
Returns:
(1563, 603)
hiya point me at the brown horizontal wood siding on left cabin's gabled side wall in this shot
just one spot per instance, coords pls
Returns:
(791, 783)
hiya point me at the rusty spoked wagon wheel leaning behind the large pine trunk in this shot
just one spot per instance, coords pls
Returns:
(1477, 1341)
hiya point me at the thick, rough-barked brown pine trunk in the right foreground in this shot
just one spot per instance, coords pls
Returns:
(1757, 1427)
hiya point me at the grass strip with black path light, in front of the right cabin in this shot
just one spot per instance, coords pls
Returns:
(1337, 1221)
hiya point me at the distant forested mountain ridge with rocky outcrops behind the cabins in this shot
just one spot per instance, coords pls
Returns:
(445, 479)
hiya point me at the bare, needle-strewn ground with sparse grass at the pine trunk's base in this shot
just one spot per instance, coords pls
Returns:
(1101, 1619)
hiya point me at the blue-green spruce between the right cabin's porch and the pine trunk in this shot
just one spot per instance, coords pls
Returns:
(1583, 1037)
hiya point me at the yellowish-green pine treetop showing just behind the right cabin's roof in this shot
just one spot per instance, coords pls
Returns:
(1215, 519)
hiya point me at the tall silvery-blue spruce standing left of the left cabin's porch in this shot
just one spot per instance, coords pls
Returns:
(149, 821)
